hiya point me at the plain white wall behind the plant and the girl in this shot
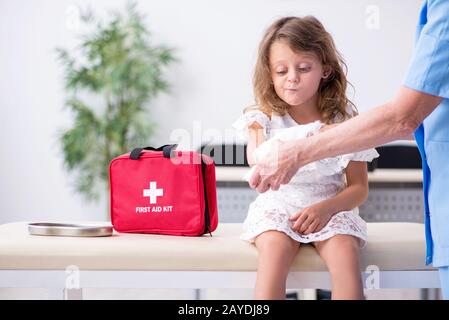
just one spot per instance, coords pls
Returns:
(216, 43)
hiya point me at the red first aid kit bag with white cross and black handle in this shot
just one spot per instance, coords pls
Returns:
(164, 191)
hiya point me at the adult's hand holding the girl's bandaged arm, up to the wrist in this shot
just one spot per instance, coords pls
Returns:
(277, 168)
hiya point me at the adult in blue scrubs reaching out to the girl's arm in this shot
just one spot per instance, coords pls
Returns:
(421, 107)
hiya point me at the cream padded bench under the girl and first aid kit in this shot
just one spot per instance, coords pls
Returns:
(393, 258)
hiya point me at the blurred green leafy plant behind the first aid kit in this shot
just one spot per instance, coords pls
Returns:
(108, 94)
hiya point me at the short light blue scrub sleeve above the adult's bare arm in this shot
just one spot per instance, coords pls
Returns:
(429, 69)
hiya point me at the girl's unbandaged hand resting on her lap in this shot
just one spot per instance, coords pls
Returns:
(311, 219)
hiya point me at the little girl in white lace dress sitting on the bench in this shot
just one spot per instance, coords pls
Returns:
(299, 81)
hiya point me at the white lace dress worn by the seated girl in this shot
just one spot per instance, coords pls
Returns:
(312, 183)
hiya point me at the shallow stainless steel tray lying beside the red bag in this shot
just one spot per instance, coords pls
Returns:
(69, 230)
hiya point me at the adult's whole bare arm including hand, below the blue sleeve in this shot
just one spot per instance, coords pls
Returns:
(395, 120)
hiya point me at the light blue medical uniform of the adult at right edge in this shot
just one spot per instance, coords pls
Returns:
(429, 73)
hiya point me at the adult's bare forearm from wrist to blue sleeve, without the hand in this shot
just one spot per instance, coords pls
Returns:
(395, 120)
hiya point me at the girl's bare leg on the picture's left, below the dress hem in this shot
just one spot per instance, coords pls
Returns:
(276, 254)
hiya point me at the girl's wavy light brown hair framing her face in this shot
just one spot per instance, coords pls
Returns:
(305, 34)
